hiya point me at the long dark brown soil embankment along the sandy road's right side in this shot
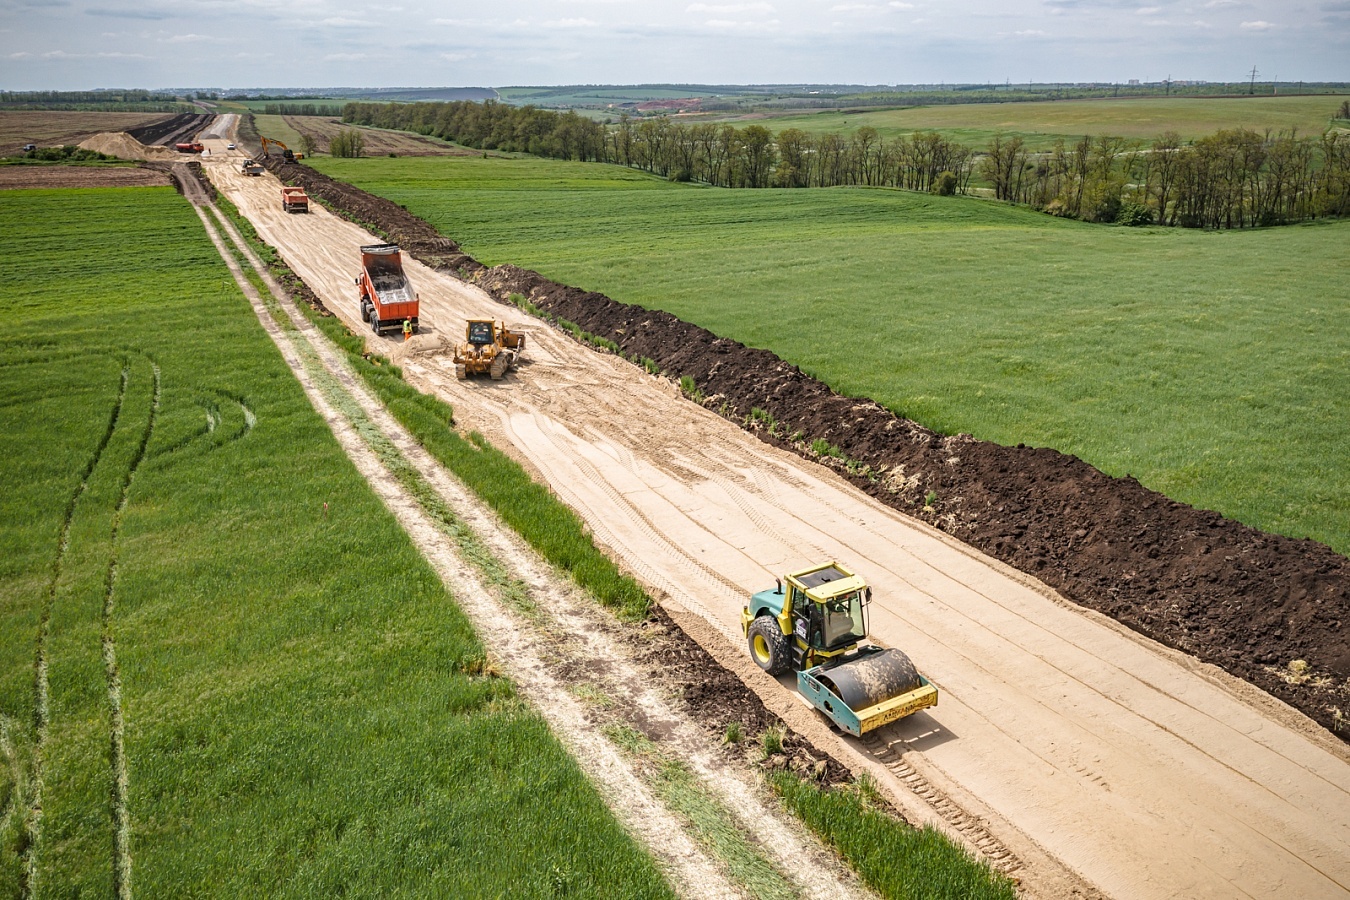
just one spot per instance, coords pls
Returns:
(1229, 594)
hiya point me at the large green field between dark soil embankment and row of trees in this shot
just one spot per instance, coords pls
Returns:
(1213, 368)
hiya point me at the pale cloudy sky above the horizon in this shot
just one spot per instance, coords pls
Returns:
(78, 45)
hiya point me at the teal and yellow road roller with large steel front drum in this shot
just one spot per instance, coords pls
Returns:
(815, 623)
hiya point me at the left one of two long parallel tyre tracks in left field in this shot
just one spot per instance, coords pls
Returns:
(43, 689)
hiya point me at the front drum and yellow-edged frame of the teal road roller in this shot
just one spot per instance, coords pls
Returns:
(867, 693)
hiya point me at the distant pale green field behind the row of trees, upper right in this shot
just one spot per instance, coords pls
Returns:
(1042, 123)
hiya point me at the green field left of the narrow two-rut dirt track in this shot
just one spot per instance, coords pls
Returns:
(306, 710)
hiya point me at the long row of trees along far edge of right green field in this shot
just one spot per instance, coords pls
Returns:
(1233, 179)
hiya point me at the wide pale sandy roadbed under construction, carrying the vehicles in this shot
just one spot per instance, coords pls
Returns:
(1066, 737)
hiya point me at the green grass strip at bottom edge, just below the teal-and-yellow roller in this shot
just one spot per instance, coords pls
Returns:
(893, 859)
